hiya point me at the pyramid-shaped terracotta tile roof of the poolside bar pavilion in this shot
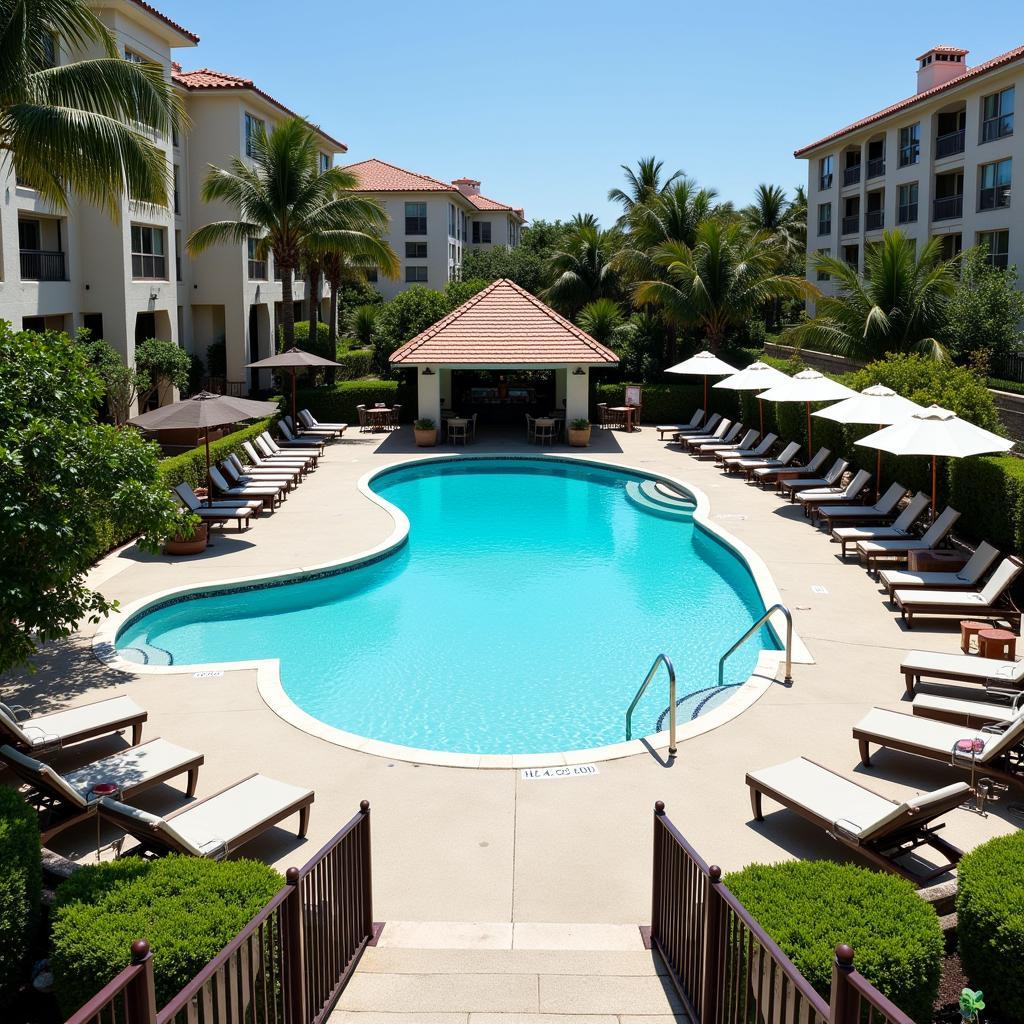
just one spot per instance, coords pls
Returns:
(503, 326)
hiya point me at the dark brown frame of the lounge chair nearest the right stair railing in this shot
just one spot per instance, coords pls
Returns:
(882, 851)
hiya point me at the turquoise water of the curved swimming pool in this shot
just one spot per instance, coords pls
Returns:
(521, 617)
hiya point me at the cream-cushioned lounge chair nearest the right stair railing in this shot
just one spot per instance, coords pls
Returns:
(882, 830)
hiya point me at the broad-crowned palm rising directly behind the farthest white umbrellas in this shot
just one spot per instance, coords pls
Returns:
(719, 282)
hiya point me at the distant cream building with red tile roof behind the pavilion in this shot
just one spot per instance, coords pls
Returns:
(434, 223)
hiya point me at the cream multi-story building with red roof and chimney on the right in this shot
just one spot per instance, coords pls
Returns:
(940, 163)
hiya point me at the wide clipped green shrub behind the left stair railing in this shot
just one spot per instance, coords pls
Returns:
(188, 909)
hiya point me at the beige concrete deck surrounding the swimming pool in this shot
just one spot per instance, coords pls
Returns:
(487, 846)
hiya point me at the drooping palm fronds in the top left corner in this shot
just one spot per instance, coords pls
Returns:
(79, 127)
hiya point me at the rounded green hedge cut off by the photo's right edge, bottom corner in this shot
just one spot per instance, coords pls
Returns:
(991, 922)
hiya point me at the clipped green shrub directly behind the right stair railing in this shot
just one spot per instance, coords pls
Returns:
(808, 908)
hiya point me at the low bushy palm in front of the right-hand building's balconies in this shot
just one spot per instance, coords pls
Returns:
(898, 307)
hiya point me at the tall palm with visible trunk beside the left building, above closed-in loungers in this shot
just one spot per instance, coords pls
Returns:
(292, 209)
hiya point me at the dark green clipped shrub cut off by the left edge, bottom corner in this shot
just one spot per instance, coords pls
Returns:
(21, 886)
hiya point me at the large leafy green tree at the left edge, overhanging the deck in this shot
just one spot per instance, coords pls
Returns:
(65, 479)
